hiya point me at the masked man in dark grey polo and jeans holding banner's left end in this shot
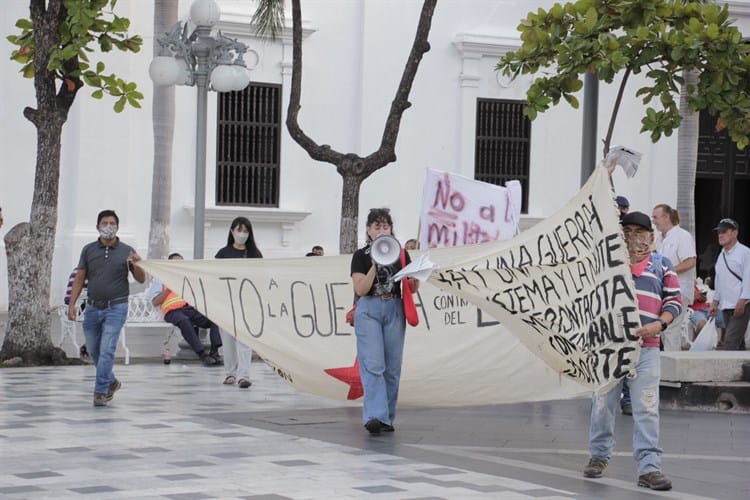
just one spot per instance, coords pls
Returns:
(105, 263)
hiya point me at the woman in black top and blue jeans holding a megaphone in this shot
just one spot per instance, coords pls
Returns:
(379, 323)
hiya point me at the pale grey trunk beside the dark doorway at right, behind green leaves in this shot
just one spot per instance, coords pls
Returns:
(687, 155)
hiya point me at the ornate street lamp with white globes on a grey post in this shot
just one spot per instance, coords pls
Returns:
(196, 59)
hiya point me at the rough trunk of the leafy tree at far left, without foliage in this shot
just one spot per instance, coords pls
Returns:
(30, 245)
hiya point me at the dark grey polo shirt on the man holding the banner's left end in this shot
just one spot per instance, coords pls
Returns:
(106, 269)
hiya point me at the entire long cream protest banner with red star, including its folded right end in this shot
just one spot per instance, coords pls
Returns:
(558, 299)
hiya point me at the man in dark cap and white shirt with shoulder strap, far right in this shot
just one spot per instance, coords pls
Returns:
(732, 285)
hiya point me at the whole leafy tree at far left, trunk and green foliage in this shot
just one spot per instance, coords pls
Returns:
(54, 47)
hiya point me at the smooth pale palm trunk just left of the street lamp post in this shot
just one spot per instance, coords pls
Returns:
(165, 16)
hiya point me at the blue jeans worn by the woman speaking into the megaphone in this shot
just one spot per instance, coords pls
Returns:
(379, 327)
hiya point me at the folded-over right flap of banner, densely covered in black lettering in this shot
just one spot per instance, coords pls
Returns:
(564, 287)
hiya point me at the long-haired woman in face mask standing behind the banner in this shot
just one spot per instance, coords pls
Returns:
(237, 356)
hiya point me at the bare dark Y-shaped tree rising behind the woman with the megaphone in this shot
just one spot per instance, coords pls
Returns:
(353, 168)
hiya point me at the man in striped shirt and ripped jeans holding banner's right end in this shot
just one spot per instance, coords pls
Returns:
(659, 302)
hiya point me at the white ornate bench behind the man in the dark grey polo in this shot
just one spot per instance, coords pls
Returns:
(141, 314)
